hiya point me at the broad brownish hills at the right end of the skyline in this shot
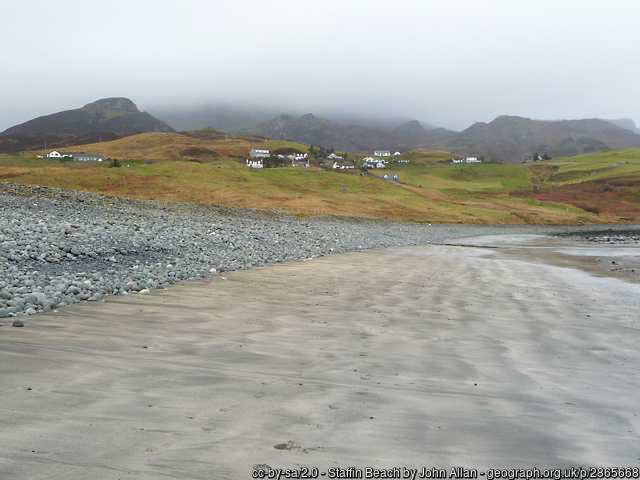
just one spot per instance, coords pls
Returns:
(511, 139)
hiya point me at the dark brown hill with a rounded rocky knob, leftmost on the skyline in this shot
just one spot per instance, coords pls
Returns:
(118, 115)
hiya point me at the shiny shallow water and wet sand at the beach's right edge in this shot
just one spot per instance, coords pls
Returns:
(618, 261)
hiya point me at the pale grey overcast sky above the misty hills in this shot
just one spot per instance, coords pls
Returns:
(447, 62)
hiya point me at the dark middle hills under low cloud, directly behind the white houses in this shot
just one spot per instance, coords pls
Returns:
(318, 131)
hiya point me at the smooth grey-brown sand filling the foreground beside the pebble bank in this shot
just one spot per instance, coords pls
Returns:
(417, 357)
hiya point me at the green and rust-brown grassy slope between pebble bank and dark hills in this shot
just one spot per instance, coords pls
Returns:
(428, 190)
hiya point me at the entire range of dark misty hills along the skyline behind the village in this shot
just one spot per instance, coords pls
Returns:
(507, 139)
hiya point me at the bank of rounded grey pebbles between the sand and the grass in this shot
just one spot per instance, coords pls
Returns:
(59, 247)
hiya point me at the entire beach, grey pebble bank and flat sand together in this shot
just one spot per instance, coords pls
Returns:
(198, 341)
